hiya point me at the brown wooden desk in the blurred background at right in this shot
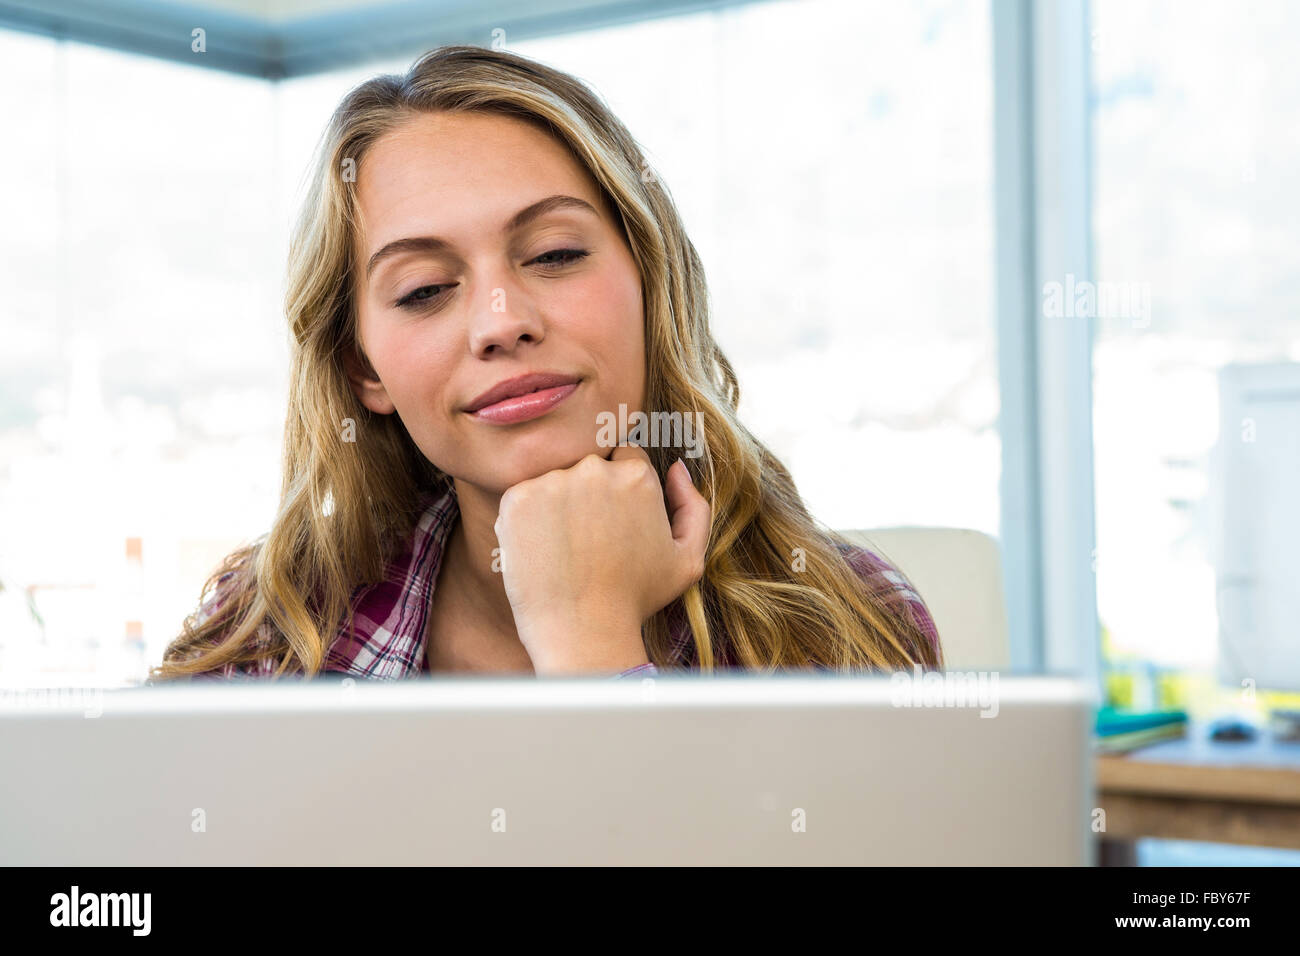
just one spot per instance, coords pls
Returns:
(1201, 790)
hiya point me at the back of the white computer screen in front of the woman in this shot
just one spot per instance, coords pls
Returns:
(675, 771)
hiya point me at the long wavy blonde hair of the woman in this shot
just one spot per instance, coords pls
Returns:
(343, 516)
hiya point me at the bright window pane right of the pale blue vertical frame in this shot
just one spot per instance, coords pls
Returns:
(1195, 201)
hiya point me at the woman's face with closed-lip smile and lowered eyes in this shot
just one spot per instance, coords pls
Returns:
(460, 289)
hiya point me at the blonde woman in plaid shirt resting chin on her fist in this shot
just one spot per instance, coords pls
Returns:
(483, 274)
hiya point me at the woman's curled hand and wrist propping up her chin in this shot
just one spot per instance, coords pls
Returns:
(590, 552)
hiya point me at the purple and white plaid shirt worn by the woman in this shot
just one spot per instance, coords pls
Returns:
(387, 641)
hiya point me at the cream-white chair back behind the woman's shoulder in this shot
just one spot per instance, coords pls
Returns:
(959, 574)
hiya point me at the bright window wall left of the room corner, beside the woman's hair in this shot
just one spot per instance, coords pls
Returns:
(144, 362)
